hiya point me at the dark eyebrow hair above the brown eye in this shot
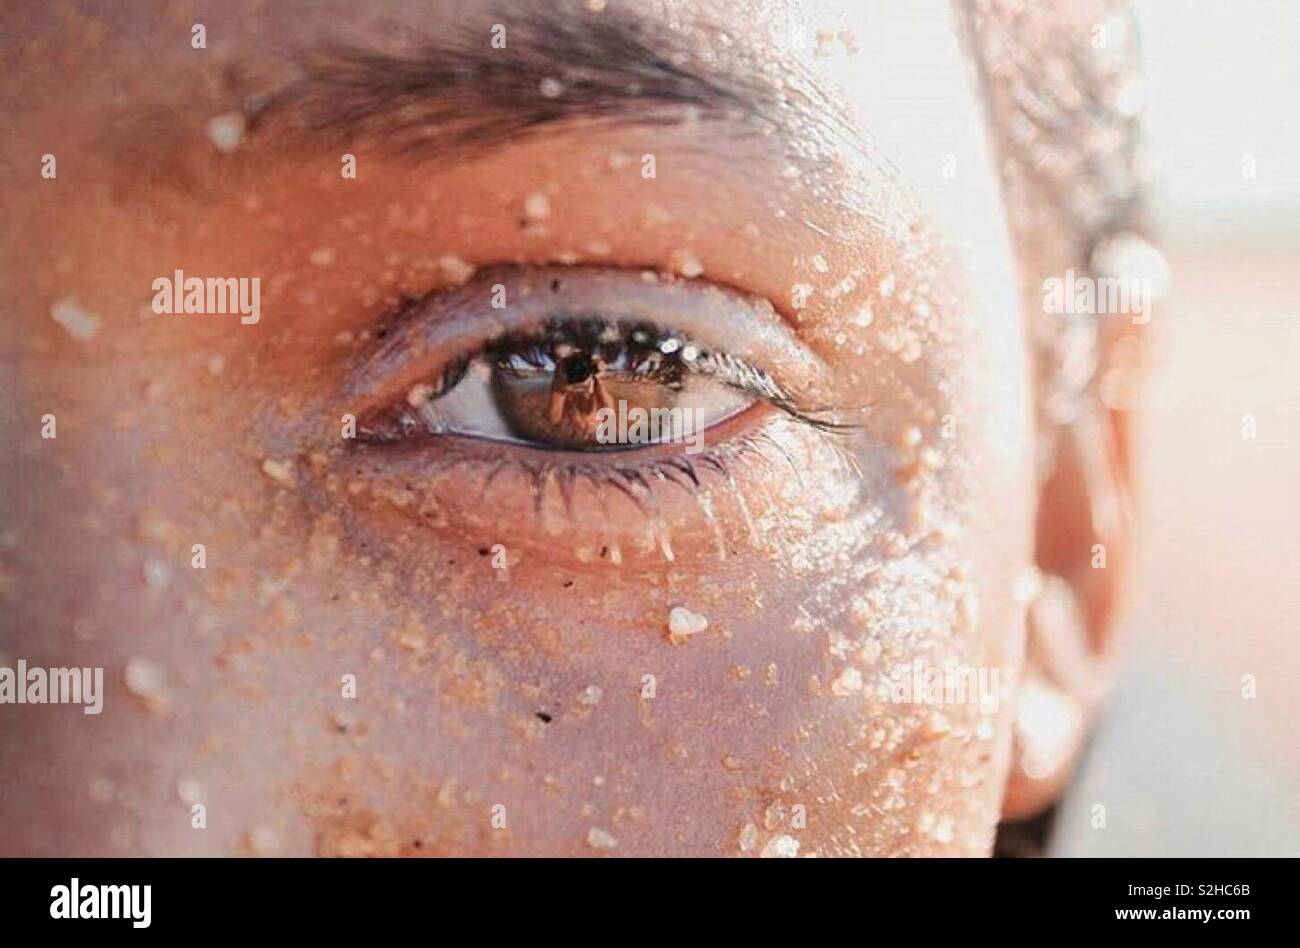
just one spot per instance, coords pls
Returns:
(458, 94)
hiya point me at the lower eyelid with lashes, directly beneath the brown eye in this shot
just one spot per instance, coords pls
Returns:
(660, 504)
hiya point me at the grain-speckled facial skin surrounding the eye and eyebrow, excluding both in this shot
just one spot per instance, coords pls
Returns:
(765, 726)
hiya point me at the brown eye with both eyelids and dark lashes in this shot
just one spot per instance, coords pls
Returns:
(617, 408)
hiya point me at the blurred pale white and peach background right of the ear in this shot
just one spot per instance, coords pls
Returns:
(1188, 767)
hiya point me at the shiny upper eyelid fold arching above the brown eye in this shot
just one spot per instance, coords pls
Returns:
(721, 319)
